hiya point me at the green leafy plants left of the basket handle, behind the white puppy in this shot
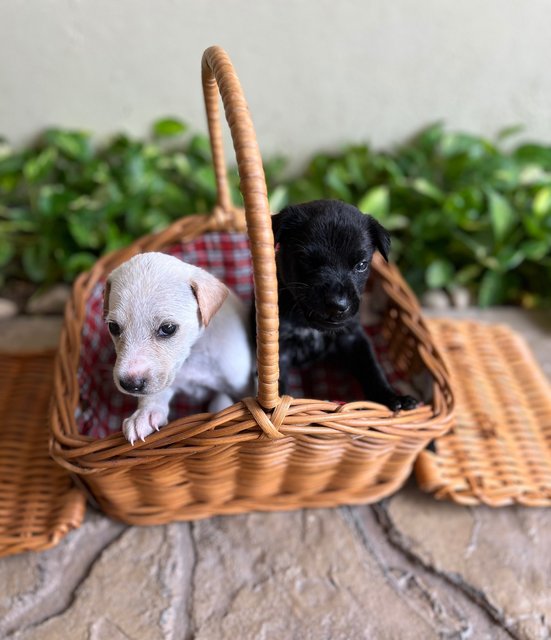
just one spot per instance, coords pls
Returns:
(64, 201)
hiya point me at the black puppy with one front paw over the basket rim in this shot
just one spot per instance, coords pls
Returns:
(324, 252)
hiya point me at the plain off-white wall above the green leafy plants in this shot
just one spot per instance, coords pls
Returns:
(316, 72)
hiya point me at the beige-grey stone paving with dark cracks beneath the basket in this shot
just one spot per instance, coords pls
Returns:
(407, 568)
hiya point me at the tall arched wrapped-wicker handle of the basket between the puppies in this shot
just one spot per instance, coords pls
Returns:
(218, 76)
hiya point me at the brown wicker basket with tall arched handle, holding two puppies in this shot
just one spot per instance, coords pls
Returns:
(263, 453)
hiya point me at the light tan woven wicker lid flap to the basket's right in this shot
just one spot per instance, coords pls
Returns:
(499, 450)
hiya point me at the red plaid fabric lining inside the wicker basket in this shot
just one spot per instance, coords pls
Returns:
(102, 407)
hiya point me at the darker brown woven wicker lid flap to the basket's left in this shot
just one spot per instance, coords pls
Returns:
(38, 502)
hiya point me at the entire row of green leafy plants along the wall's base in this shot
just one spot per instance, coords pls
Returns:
(462, 210)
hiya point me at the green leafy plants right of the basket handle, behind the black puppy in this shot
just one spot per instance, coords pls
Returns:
(462, 210)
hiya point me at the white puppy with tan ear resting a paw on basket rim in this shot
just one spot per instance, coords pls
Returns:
(175, 327)
